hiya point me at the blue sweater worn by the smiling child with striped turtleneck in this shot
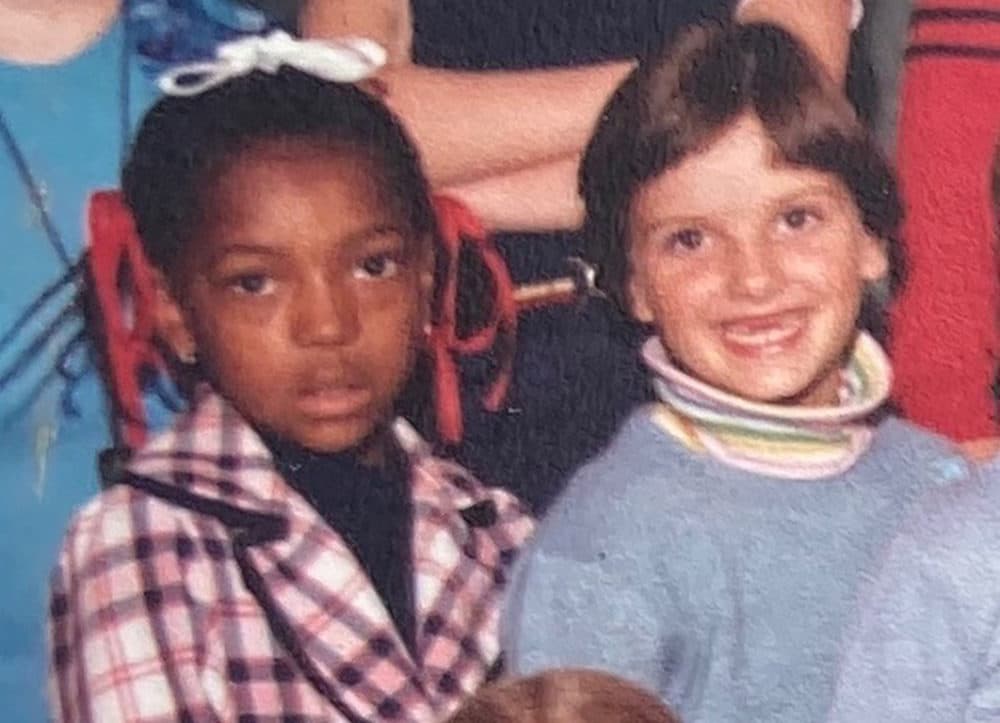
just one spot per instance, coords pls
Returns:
(725, 591)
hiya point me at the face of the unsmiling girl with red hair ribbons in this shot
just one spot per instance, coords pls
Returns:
(303, 297)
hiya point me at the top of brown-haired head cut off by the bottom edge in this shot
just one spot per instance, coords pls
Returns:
(564, 696)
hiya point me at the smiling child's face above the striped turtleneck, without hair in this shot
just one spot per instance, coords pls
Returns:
(752, 271)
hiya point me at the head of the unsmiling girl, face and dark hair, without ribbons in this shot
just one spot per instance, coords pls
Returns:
(293, 232)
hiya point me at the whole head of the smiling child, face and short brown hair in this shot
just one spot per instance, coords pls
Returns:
(736, 204)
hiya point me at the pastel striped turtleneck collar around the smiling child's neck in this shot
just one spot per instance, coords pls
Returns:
(770, 439)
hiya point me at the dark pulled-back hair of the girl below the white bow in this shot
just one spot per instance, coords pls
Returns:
(185, 142)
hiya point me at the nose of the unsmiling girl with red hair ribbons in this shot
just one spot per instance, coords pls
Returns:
(325, 313)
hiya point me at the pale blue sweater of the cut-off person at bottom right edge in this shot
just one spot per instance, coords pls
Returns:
(928, 644)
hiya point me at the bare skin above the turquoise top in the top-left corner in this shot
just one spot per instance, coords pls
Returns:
(47, 32)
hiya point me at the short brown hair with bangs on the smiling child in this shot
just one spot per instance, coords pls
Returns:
(679, 101)
